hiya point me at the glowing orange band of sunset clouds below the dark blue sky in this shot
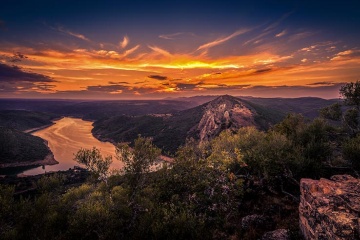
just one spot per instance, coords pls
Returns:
(269, 59)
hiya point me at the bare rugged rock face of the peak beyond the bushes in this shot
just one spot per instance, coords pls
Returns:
(225, 112)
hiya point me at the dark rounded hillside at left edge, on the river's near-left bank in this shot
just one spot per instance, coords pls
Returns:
(17, 147)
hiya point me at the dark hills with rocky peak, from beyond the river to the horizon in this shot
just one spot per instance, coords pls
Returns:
(169, 122)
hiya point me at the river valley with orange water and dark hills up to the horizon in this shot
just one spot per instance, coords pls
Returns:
(170, 123)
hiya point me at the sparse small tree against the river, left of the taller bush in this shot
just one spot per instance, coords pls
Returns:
(94, 162)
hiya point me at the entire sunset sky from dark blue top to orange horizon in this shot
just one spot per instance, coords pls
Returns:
(161, 49)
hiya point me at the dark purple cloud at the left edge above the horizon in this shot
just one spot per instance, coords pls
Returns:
(17, 74)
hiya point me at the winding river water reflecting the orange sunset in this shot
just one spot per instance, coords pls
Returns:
(65, 138)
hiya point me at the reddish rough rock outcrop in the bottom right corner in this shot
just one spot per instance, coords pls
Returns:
(330, 209)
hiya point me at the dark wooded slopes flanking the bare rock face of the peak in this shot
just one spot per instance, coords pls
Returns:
(170, 132)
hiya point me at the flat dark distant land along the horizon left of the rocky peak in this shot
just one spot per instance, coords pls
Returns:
(94, 110)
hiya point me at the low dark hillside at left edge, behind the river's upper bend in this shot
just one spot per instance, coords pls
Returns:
(24, 120)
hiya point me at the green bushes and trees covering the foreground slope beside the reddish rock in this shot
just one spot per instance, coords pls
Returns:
(203, 194)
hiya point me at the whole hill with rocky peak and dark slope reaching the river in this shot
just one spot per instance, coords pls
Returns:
(202, 123)
